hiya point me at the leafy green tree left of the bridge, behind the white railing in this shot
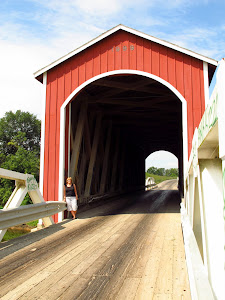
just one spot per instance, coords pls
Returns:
(19, 149)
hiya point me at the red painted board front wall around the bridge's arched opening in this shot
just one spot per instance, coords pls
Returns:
(120, 50)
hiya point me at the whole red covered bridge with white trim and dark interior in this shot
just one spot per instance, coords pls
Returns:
(111, 103)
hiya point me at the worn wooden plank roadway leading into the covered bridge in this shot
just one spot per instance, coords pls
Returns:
(131, 248)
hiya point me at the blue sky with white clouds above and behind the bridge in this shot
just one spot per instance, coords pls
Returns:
(34, 33)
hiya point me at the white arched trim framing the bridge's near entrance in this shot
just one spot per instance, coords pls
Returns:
(117, 72)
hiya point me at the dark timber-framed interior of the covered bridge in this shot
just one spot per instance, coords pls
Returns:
(116, 122)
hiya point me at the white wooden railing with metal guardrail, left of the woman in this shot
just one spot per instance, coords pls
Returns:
(13, 214)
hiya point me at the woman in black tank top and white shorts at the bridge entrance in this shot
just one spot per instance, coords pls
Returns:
(70, 196)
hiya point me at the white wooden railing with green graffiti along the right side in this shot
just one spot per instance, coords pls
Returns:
(203, 211)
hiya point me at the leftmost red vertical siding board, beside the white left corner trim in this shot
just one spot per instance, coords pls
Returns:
(47, 132)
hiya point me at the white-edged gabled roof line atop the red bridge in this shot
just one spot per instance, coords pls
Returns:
(130, 30)
